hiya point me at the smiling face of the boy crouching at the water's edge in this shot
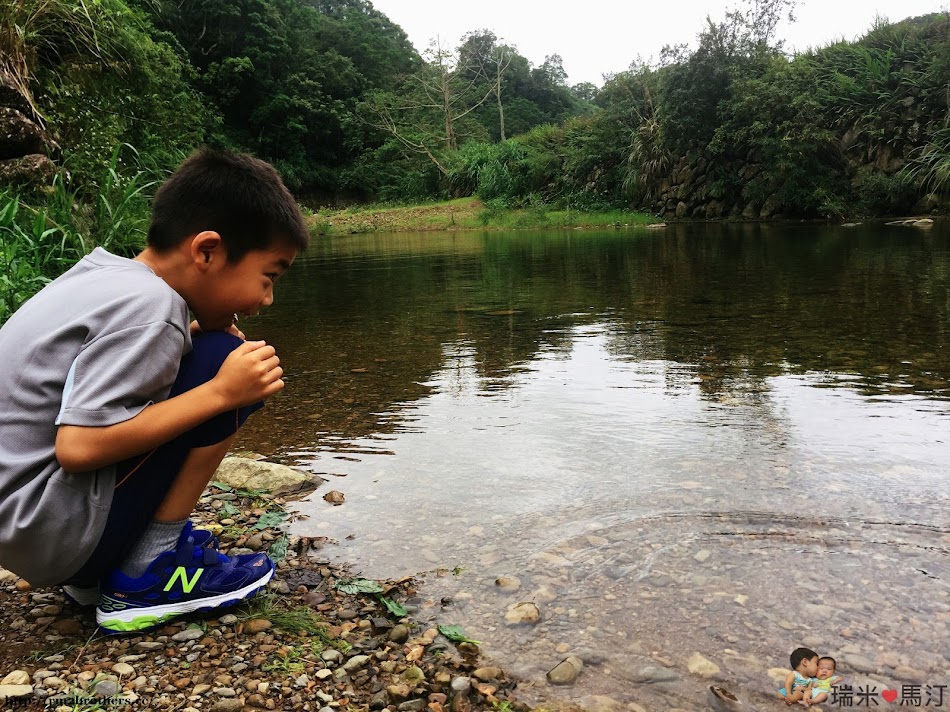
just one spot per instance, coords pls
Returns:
(241, 288)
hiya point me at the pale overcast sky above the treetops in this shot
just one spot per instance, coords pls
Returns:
(596, 37)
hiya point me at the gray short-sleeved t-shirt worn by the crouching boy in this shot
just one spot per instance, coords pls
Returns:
(94, 347)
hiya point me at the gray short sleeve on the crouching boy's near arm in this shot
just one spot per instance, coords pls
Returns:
(118, 374)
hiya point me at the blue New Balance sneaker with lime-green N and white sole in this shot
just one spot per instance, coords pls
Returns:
(193, 577)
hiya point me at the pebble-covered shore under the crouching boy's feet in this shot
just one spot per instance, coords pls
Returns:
(313, 641)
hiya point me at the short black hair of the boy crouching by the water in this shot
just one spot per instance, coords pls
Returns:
(240, 197)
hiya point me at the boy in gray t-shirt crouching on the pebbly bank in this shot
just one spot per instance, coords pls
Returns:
(114, 415)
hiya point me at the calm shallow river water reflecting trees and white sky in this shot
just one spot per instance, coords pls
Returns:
(709, 443)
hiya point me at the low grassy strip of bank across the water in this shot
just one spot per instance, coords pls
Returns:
(463, 214)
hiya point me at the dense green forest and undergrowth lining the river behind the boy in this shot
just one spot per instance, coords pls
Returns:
(98, 101)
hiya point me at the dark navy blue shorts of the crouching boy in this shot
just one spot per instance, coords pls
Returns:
(142, 482)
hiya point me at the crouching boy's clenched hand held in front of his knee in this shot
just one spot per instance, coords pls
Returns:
(250, 373)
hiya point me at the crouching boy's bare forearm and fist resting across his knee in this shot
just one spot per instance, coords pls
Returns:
(249, 374)
